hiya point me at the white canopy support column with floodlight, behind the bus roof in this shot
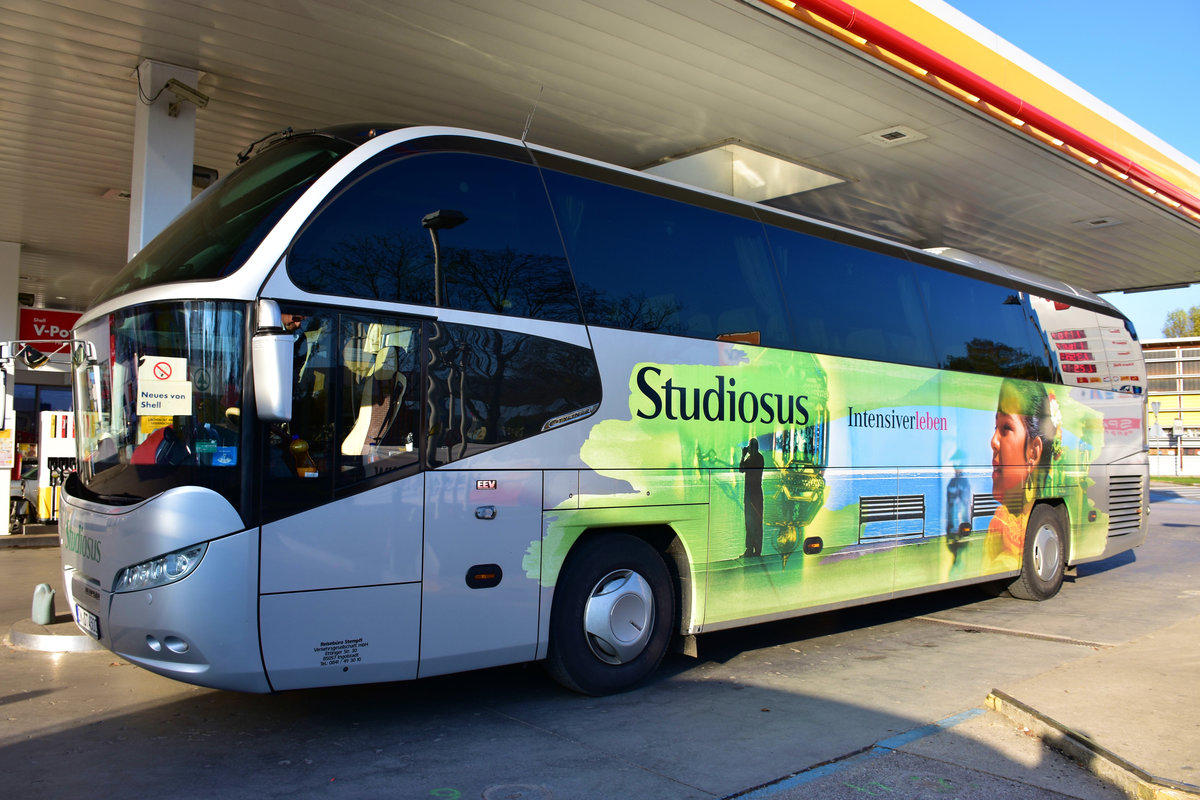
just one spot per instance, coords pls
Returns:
(164, 149)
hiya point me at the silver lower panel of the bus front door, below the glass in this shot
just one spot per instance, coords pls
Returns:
(341, 591)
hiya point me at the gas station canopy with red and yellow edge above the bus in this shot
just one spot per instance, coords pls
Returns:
(921, 125)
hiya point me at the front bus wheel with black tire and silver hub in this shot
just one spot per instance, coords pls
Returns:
(610, 624)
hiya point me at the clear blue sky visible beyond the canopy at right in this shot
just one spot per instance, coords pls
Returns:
(1137, 58)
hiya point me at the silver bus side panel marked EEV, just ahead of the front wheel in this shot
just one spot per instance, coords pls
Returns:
(481, 587)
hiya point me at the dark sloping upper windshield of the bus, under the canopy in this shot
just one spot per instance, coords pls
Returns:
(223, 227)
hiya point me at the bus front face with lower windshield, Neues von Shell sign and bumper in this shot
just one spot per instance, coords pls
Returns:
(163, 488)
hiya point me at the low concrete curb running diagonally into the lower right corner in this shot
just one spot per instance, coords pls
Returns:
(1131, 779)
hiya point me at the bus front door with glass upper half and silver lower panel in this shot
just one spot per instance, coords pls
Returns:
(343, 504)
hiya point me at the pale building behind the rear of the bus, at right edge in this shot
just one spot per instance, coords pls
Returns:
(1173, 368)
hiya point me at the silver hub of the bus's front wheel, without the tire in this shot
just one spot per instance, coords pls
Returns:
(619, 617)
